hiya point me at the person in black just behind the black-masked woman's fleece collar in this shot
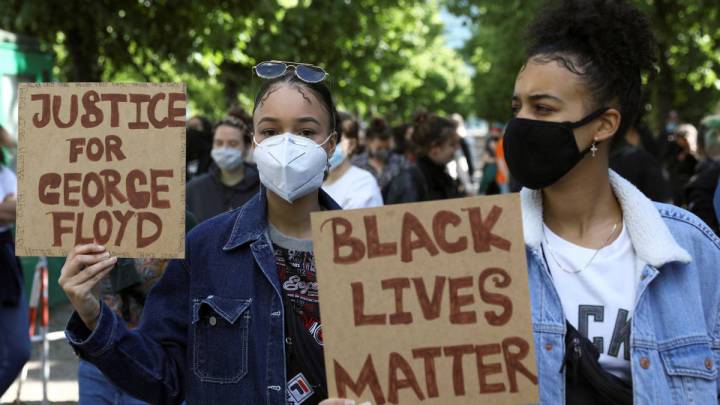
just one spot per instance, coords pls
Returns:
(638, 166)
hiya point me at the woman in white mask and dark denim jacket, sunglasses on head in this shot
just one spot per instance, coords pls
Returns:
(238, 319)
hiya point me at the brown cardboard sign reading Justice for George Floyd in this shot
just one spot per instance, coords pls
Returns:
(104, 163)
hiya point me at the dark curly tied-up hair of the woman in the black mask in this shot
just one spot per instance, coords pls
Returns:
(609, 43)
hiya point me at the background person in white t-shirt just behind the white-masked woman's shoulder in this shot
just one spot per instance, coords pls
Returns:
(350, 186)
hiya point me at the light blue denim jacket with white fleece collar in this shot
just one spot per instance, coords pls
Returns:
(675, 328)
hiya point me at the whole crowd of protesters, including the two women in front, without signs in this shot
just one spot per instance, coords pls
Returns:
(616, 219)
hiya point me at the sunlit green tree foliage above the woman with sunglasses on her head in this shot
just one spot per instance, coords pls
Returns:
(383, 56)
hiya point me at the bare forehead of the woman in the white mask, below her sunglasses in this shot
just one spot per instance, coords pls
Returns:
(287, 102)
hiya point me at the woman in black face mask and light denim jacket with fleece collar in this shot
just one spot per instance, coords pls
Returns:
(625, 291)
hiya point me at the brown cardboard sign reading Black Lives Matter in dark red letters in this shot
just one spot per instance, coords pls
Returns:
(426, 303)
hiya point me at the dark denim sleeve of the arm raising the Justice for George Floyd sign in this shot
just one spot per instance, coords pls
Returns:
(150, 361)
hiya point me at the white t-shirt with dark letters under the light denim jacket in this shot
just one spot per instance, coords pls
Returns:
(599, 300)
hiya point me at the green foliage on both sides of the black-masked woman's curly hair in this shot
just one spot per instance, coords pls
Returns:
(688, 33)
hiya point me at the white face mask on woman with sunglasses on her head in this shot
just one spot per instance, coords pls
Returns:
(290, 165)
